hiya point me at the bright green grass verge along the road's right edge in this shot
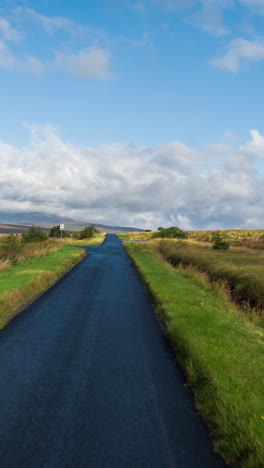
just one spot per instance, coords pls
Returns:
(219, 350)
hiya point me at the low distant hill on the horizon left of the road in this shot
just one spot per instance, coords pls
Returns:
(19, 222)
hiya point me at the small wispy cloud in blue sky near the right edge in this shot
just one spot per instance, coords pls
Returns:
(237, 50)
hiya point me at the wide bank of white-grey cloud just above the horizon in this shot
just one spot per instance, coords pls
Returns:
(123, 184)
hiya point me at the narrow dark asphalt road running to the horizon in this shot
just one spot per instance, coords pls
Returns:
(87, 378)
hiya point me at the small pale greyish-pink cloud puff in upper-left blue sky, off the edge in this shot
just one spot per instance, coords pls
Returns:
(92, 62)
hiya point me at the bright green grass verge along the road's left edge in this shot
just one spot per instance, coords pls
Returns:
(19, 283)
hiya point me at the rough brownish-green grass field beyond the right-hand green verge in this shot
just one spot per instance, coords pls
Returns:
(241, 269)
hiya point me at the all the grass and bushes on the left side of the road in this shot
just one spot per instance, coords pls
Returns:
(32, 261)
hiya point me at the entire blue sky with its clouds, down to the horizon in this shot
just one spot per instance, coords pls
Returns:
(114, 81)
